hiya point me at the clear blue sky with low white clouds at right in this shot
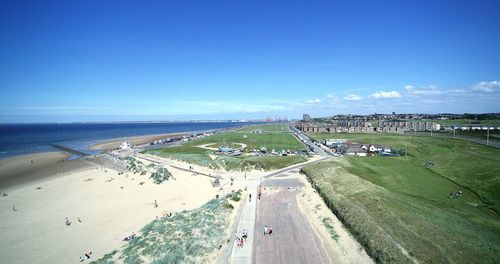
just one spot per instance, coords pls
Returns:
(167, 60)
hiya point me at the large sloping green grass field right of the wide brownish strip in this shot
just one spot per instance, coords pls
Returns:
(393, 202)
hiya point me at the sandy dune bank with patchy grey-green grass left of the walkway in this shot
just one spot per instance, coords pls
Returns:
(187, 237)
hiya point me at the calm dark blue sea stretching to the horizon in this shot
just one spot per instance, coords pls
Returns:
(20, 139)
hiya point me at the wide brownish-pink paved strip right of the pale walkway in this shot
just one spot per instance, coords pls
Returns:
(293, 240)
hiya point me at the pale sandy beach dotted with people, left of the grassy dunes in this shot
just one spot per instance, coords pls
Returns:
(36, 232)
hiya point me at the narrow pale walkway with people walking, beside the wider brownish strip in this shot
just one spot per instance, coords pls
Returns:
(247, 221)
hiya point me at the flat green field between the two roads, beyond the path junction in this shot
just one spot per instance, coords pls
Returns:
(277, 137)
